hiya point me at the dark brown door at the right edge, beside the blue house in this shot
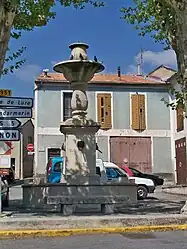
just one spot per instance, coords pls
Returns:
(181, 165)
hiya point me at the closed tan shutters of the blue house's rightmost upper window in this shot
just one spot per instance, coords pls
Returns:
(138, 112)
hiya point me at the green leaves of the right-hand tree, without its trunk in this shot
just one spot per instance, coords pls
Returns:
(153, 17)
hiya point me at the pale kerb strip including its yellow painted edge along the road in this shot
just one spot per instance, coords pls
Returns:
(74, 225)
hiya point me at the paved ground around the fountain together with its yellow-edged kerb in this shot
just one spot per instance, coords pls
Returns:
(159, 212)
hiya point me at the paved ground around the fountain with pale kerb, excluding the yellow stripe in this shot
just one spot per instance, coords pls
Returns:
(158, 209)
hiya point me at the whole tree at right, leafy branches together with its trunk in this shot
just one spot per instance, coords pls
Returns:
(166, 22)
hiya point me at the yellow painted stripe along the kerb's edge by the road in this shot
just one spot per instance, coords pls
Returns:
(71, 232)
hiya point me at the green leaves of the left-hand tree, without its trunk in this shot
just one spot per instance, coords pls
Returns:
(35, 13)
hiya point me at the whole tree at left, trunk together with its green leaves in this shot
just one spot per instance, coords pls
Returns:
(20, 15)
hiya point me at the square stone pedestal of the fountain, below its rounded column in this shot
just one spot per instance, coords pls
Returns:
(80, 162)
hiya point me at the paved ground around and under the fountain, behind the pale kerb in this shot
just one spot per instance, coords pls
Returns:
(156, 204)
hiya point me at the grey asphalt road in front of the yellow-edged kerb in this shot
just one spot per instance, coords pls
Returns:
(167, 240)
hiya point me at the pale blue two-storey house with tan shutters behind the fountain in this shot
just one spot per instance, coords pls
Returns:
(135, 124)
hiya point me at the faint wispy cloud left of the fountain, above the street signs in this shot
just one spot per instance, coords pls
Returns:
(28, 73)
